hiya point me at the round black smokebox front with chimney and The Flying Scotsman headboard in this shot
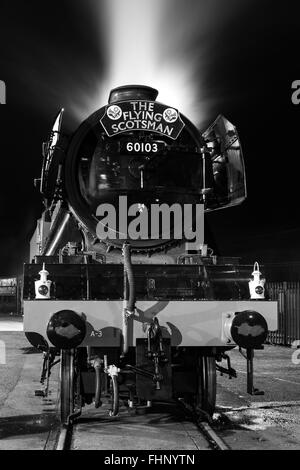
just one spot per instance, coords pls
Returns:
(141, 150)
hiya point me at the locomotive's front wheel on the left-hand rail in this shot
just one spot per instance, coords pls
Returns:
(67, 384)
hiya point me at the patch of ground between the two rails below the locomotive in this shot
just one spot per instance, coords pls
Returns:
(164, 428)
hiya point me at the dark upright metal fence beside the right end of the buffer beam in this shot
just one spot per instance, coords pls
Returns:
(288, 296)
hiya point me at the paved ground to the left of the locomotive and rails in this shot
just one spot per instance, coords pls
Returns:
(25, 419)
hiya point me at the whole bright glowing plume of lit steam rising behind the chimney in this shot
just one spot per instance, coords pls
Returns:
(166, 44)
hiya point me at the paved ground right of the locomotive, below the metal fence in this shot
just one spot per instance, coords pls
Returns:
(269, 421)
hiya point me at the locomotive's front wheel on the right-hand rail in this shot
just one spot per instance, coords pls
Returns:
(207, 385)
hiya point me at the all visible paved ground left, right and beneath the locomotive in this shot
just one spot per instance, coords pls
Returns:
(269, 421)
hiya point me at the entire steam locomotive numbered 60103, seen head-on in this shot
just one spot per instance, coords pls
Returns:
(130, 315)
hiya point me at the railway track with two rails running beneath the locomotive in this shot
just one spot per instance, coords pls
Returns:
(173, 429)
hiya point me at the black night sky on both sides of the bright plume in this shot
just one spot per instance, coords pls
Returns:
(48, 46)
